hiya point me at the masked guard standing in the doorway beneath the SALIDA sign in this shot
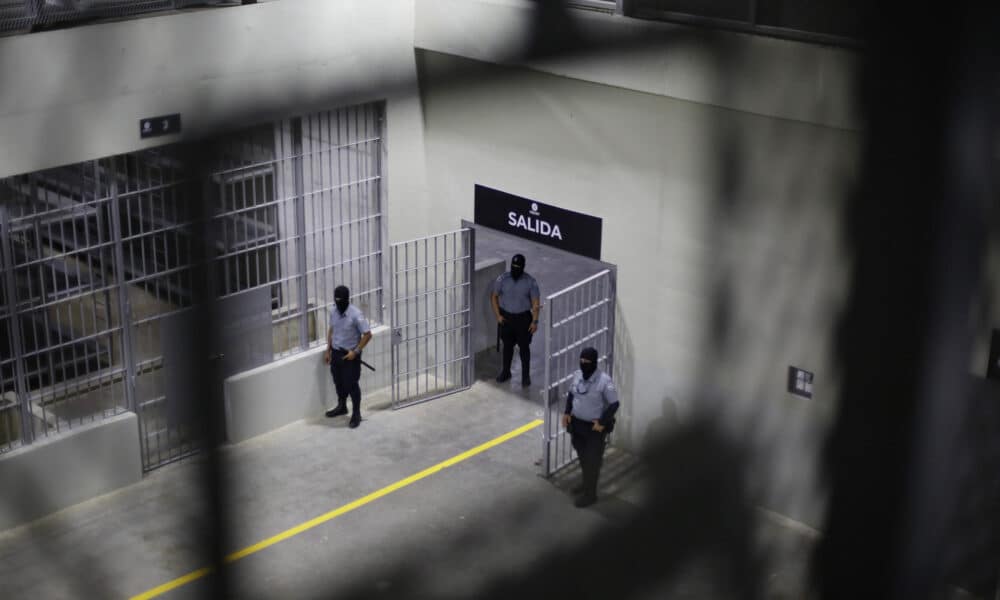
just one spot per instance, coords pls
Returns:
(515, 302)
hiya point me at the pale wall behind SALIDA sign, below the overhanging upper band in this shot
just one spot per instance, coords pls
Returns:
(650, 167)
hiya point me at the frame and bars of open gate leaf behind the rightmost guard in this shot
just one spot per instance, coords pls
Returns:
(557, 451)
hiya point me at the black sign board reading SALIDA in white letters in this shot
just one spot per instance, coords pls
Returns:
(538, 222)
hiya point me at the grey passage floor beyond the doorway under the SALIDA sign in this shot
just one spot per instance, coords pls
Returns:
(554, 270)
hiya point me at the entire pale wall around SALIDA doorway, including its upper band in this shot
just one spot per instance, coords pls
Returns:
(640, 139)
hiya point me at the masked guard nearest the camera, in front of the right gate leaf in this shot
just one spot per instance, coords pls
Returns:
(589, 417)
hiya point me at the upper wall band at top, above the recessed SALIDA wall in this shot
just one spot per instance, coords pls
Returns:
(812, 83)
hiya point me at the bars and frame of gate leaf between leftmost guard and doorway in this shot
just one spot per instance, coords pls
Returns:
(468, 254)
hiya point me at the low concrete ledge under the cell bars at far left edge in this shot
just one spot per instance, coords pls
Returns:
(65, 469)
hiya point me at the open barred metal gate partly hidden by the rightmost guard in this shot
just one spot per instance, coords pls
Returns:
(578, 316)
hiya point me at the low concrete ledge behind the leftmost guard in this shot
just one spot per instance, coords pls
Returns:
(299, 387)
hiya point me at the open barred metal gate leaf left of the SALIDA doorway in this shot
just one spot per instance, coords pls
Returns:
(431, 316)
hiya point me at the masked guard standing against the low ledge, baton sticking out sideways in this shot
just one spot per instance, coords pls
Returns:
(347, 335)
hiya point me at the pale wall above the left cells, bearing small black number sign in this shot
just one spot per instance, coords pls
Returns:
(78, 93)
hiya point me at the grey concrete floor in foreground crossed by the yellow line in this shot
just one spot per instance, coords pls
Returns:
(473, 524)
